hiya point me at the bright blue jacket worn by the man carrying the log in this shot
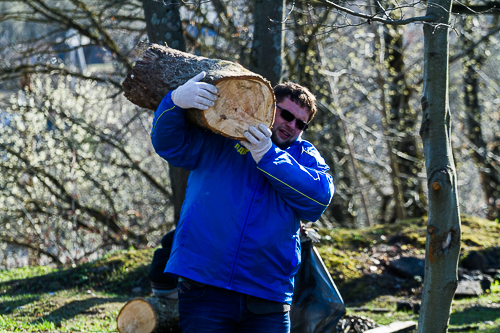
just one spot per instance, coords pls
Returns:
(240, 221)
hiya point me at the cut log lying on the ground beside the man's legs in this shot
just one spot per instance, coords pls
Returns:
(147, 315)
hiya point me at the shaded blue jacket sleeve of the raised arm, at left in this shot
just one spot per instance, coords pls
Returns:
(175, 140)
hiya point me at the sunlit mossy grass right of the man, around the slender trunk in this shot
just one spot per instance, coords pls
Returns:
(347, 255)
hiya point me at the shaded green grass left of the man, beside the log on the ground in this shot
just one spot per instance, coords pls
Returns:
(85, 298)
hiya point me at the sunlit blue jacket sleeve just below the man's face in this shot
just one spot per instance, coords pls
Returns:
(303, 182)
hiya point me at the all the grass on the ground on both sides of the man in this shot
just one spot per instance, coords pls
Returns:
(88, 297)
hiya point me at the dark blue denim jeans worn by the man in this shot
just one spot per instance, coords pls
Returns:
(210, 309)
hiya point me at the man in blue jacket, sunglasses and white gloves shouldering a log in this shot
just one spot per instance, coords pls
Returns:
(236, 247)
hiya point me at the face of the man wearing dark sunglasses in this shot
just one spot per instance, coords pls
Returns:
(286, 132)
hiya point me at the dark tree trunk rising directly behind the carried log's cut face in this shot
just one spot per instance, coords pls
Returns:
(266, 57)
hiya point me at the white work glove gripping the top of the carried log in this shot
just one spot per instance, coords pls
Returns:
(194, 94)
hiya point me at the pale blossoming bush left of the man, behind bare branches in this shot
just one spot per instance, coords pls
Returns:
(72, 187)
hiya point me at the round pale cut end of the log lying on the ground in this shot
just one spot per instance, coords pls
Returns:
(136, 316)
